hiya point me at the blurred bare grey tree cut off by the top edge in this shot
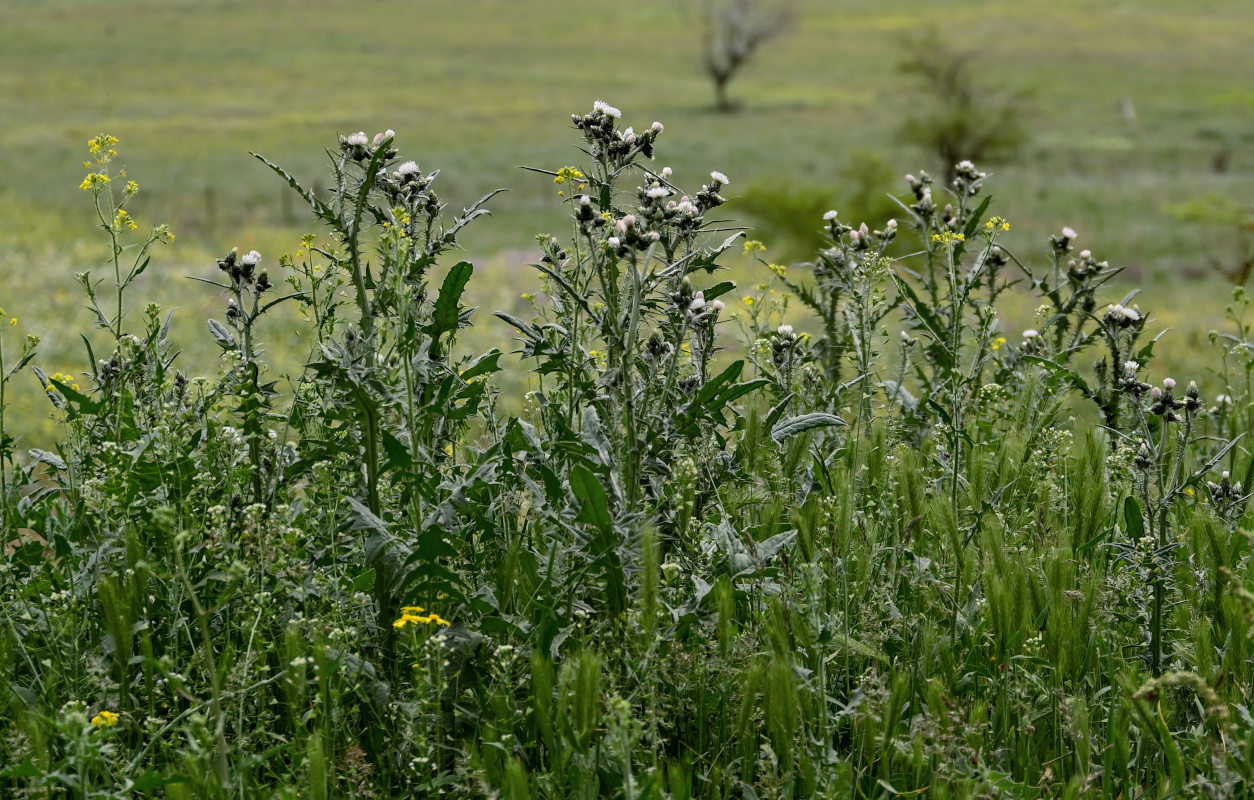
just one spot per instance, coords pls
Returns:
(734, 31)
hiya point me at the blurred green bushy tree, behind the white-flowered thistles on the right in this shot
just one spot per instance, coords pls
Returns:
(962, 121)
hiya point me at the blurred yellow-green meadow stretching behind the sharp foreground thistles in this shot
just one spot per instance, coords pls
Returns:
(1133, 124)
